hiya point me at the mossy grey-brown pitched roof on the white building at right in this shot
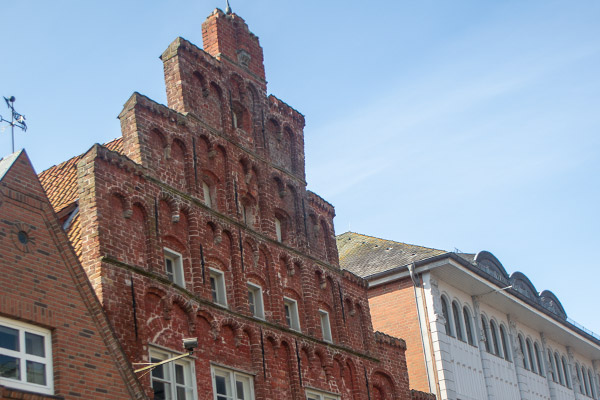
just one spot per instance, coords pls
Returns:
(367, 255)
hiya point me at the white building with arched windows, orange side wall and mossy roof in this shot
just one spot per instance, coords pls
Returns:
(472, 330)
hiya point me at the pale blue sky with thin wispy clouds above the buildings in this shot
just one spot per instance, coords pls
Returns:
(465, 125)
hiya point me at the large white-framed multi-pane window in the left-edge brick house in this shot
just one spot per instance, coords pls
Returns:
(25, 357)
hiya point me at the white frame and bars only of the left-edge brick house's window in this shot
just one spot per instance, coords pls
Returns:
(23, 357)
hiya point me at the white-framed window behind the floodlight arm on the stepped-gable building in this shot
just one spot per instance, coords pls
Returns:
(173, 380)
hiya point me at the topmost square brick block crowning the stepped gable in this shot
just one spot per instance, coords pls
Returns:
(226, 36)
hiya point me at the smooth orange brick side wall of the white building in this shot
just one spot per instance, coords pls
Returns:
(394, 311)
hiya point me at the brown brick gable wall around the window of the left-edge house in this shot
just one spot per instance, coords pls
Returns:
(42, 284)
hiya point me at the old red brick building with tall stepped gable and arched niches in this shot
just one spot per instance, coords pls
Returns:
(197, 223)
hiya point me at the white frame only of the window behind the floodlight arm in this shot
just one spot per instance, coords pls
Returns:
(170, 374)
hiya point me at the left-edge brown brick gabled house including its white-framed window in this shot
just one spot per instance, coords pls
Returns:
(55, 340)
